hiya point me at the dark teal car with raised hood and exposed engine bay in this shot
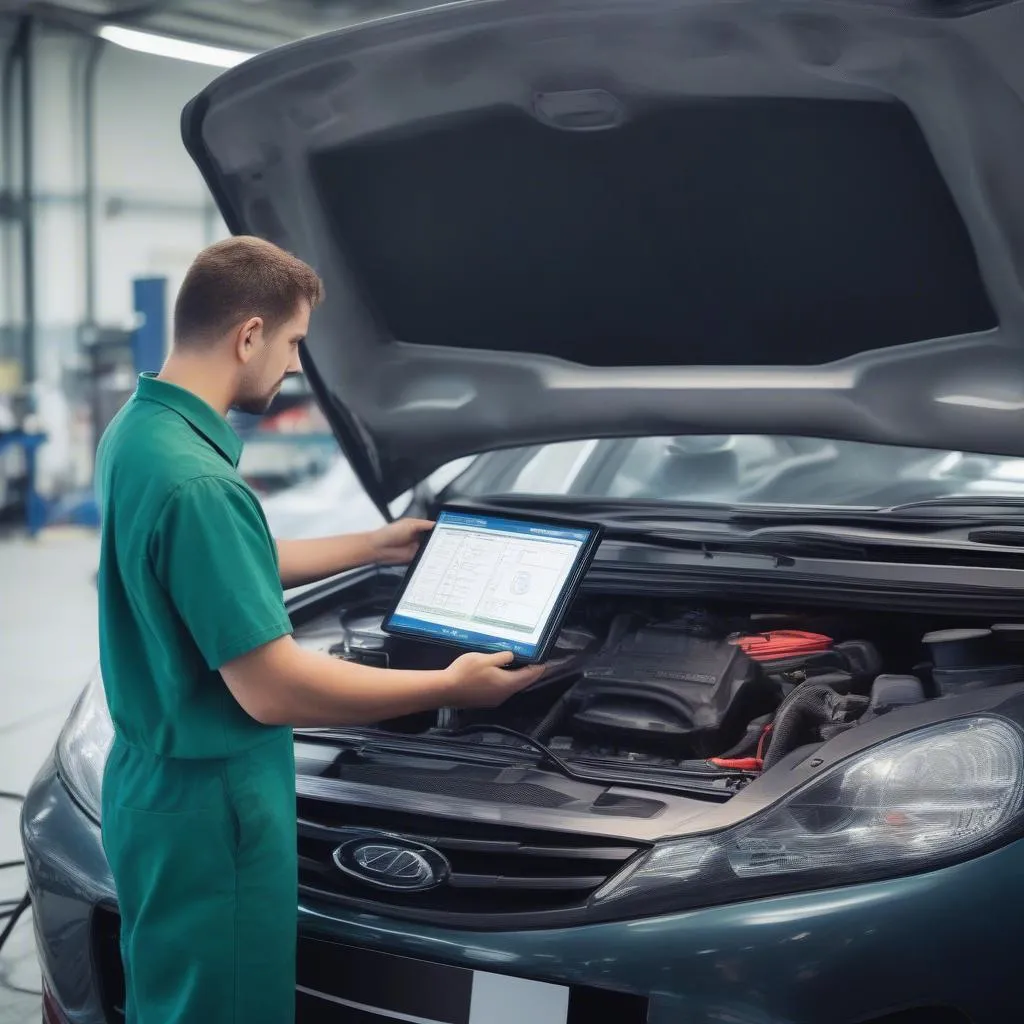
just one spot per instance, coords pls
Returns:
(743, 283)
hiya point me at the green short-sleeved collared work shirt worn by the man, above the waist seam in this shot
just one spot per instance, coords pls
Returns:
(189, 576)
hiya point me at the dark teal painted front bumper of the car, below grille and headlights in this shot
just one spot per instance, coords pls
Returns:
(949, 938)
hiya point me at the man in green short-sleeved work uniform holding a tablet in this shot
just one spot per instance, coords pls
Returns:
(202, 675)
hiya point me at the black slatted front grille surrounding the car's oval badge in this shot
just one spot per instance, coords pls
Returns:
(497, 871)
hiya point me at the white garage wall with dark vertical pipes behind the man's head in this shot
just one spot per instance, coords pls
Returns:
(153, 215)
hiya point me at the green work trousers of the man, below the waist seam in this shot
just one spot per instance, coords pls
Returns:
(204, 861)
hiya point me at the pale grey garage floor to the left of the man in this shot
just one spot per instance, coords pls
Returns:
(48, 648)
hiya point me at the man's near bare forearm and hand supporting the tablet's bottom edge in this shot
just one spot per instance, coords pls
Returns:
(282, 684)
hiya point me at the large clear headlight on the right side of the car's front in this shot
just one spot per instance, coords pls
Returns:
(935, 796)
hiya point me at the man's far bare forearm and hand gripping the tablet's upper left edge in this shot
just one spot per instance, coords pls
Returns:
(308, 562)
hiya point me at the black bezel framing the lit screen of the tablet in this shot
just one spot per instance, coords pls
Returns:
(567, 596)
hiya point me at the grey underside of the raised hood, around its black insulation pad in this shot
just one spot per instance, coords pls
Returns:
(402, 409)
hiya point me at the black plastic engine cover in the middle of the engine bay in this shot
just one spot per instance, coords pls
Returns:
(668, 688)
